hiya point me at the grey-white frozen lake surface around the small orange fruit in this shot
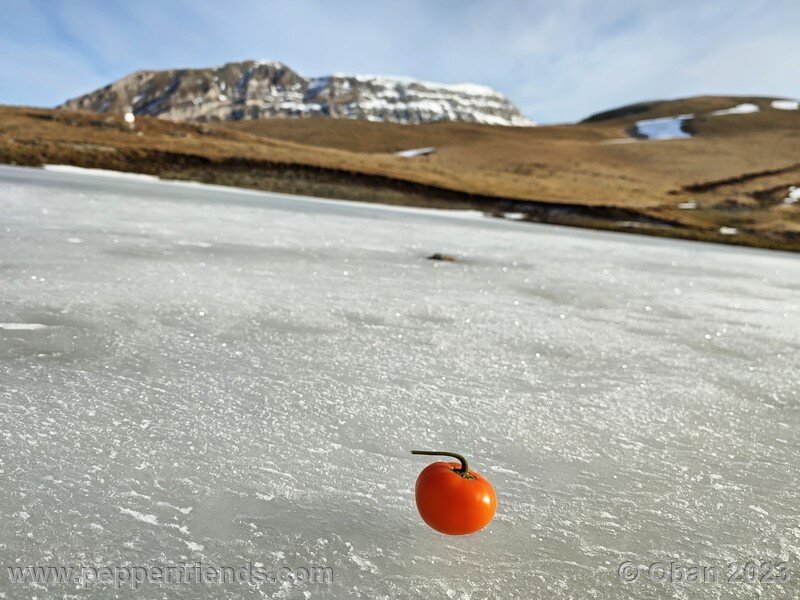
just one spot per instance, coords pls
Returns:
(205, 375)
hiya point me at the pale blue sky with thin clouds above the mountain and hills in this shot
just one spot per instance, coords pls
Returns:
(557, 60)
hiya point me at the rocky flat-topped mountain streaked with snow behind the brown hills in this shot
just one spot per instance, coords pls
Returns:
(260, 90)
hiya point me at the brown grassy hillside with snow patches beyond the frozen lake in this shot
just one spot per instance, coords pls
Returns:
(737, 168)
